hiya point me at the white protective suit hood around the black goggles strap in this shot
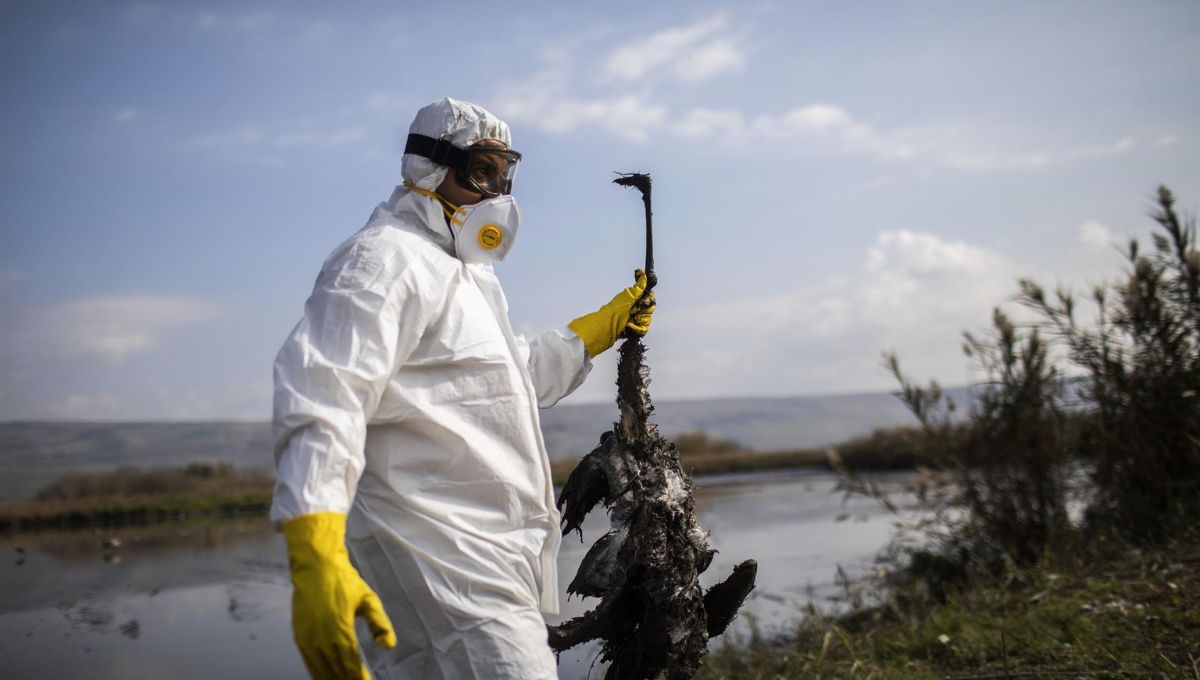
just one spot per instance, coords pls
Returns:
(465, 125)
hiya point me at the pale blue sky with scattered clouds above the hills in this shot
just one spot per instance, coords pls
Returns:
(831, 180)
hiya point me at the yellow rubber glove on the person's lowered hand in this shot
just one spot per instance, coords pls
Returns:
(329, 593)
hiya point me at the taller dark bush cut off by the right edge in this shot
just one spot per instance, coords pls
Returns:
(1142, 362)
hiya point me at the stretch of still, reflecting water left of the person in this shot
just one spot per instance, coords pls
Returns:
(181, 601)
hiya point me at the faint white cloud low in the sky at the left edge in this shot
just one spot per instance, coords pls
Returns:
(109, 329)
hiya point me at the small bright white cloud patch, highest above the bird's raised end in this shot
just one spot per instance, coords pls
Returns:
(691, 53)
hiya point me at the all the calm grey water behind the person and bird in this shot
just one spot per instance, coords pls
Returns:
(213, 601)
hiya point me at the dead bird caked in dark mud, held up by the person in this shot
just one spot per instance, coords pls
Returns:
(653, 616)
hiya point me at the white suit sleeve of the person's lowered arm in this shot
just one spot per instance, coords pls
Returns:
(361, 324)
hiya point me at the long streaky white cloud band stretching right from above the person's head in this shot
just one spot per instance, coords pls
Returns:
(626, 103)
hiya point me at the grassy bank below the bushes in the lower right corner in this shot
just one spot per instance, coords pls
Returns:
(1125, 616)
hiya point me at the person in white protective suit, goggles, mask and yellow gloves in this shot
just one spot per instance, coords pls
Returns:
(407, 429)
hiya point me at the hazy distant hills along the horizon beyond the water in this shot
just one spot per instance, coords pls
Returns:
(33, 454)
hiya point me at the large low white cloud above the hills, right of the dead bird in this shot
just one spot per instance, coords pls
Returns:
(915, 294)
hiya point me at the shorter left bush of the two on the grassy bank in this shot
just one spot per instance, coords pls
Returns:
(998, 490)
